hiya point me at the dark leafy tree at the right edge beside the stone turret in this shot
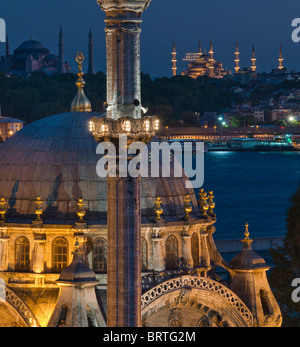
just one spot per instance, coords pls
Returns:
(287, 266)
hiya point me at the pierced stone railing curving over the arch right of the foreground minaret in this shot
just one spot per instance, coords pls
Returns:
(198, 283)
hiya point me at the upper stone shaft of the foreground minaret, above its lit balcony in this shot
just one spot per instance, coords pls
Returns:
(123, 68)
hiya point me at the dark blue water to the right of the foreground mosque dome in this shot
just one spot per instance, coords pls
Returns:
(253, 187)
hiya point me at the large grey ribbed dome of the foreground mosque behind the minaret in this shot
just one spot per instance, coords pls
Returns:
(55, 158)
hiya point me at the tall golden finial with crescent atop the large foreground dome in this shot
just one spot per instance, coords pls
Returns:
(81, 103)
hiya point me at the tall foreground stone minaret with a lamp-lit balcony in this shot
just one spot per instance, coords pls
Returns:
(123, 123)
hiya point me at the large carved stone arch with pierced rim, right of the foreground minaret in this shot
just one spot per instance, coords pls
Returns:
(196, 293)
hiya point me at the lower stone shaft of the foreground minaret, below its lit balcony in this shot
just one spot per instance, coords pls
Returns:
(124, 259)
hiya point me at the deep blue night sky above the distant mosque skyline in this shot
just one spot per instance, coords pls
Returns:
(265, 22)
